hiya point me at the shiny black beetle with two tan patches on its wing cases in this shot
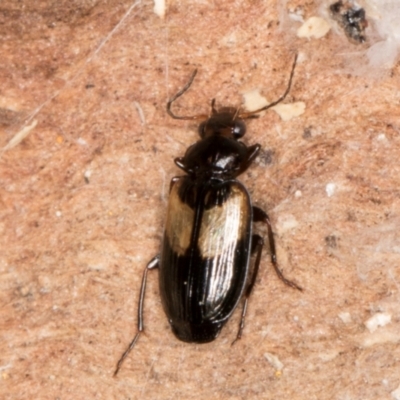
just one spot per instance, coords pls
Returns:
(208, 239)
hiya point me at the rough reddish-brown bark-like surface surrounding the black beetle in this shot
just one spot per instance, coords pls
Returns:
(83, 197)
